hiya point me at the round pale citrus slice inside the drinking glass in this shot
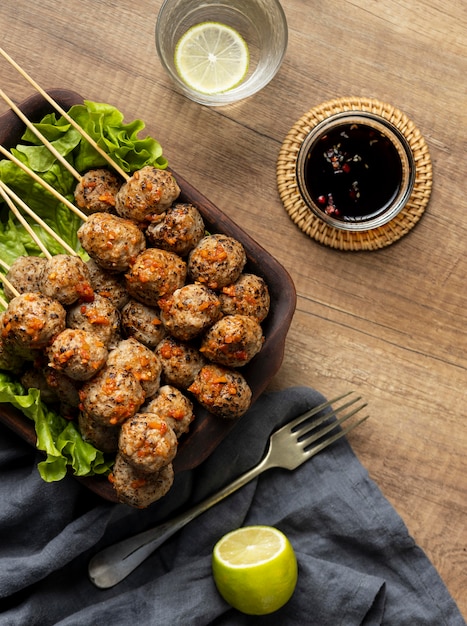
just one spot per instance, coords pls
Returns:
(211, 58)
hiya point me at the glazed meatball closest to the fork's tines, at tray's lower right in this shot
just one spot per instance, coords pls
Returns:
(222, 391)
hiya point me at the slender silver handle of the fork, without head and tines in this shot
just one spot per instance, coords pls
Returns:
(116, 562)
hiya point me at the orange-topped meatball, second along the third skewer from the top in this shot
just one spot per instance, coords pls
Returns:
(155, 274)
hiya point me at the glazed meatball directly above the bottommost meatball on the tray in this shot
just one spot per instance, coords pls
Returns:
(147, 442)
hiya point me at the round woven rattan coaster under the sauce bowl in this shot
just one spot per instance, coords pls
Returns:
(316, 228)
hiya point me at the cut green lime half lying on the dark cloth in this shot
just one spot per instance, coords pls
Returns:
(255, 569)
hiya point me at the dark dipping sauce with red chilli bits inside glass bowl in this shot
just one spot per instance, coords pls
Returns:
(353, 172)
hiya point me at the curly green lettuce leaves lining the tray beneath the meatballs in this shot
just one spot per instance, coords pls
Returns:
(57, 437)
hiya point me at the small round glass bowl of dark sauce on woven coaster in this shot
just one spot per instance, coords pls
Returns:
(355, 170)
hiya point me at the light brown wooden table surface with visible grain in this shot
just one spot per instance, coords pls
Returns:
(390, 323)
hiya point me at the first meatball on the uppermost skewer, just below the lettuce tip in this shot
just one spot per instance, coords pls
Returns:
(148, 193)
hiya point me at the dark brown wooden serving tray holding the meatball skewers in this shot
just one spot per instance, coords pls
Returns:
(207, 431)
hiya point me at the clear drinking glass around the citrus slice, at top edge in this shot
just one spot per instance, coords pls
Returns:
(262, 24)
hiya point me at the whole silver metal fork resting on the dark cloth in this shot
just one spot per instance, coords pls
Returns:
(289, 447)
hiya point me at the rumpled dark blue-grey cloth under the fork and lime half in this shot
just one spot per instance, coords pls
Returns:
(357, 563)
